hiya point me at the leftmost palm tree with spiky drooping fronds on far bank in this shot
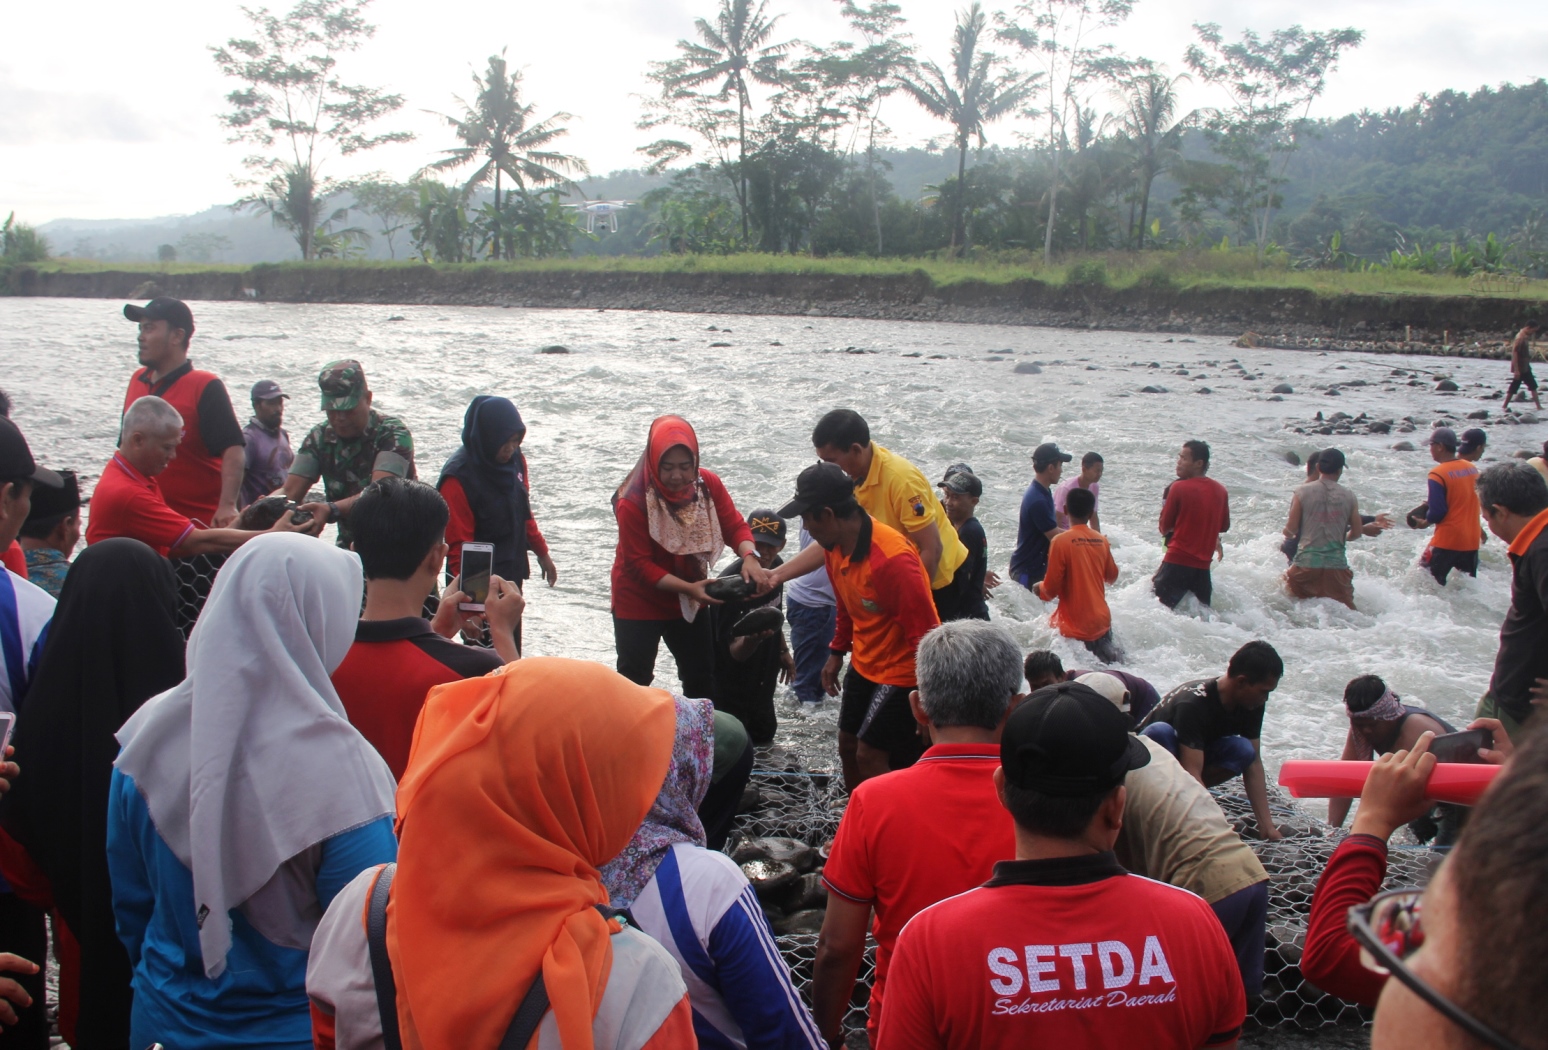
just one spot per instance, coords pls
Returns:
(495, 129)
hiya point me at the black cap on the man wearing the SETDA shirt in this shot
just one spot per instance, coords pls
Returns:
(1069, 741)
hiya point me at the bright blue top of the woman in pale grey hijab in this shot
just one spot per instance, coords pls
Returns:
(261, 1000)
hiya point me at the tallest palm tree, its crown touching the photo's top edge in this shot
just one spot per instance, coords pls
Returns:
(733, 50)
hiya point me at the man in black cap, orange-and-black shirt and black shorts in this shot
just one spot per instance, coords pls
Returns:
(885, 608)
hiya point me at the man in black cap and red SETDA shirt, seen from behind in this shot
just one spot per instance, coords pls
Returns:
(1063, 947)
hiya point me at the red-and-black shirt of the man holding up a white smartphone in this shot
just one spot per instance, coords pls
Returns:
(388, 673)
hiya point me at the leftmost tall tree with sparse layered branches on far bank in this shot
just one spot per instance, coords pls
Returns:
(295, 108)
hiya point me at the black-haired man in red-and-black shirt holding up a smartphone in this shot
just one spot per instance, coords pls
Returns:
(399, 657)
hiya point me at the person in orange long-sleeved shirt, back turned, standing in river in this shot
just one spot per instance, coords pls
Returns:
(1080, 568)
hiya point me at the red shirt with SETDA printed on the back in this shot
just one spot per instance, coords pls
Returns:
(1064, 953)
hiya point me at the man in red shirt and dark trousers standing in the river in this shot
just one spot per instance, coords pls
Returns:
(1194, 516)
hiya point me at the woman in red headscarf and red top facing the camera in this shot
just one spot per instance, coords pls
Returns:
(673, 523)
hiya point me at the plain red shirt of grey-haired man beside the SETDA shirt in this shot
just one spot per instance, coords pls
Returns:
(917, 837)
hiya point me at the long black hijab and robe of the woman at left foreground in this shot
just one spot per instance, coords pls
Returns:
(114, 645)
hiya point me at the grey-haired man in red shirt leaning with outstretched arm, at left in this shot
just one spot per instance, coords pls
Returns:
(129, 503)
